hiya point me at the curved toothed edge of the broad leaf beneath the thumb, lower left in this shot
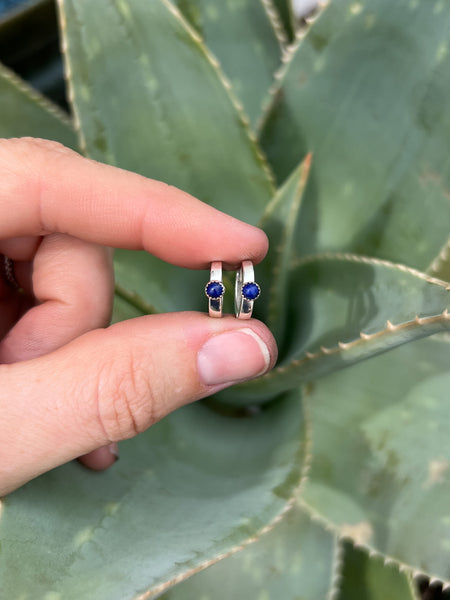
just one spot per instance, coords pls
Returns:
(291, 501)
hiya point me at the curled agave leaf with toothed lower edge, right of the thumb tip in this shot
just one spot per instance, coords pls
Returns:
(345, 308)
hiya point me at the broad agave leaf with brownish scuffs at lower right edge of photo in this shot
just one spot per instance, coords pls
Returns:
(381, 454)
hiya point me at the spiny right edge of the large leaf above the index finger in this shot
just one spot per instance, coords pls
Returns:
(237, 104)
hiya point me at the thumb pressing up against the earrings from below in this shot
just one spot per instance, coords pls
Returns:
(111, 384)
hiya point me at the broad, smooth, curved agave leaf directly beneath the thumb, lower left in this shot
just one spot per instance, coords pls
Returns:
(195, 486)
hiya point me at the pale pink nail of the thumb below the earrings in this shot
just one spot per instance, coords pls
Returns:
(232, 356)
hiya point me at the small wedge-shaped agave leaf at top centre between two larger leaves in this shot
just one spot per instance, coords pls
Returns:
(241, 35)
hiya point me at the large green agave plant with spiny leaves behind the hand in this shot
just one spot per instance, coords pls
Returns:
(330, 476)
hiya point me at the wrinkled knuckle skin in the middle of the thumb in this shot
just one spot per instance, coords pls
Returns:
(124, 397)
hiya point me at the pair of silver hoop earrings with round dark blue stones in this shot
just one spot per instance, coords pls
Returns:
(246, 290)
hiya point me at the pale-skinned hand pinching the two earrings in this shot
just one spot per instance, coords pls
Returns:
(70, 385)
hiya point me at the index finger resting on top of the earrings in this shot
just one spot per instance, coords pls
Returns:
(47, 188)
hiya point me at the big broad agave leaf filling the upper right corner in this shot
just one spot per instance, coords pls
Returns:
(367, 92)
